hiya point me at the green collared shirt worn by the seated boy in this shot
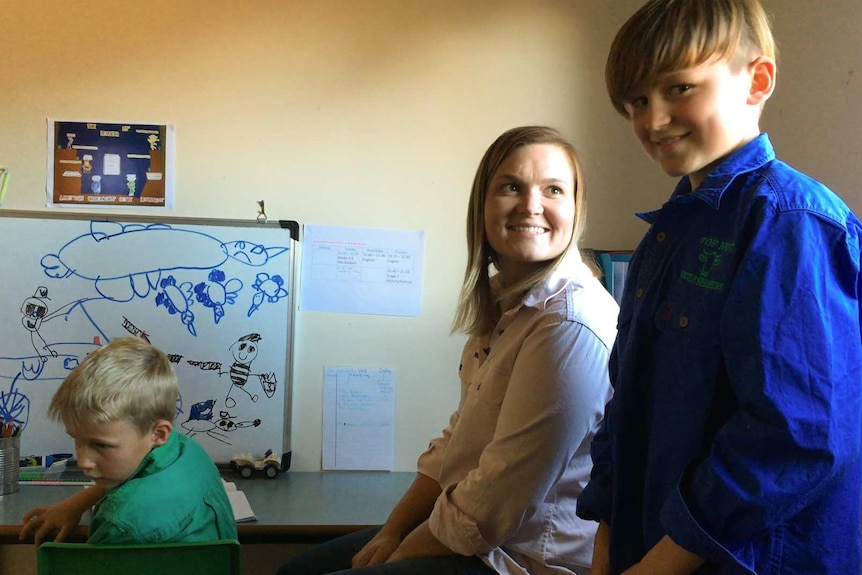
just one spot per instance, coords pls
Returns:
(176, 495)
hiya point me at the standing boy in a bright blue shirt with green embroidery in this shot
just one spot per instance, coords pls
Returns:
(732, 442)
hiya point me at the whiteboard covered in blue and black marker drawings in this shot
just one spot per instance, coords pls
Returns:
(216, 295)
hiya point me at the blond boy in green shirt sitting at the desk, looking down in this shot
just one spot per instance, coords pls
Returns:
(152, 485)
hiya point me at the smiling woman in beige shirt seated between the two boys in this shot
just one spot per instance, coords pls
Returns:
(496, 492)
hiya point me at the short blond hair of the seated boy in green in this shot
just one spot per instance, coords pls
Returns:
(126, 380)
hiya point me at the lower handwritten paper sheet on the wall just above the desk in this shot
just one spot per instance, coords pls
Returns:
(359, 418)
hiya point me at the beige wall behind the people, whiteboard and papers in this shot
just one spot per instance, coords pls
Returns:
(375, 113)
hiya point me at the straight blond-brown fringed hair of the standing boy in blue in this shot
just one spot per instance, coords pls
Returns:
(669, 35)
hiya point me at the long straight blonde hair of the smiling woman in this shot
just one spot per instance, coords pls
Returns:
(479, 307)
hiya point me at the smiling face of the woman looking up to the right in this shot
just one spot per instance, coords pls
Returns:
(530, 209)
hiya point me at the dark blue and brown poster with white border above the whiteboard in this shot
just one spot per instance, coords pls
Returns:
(99, 164)
